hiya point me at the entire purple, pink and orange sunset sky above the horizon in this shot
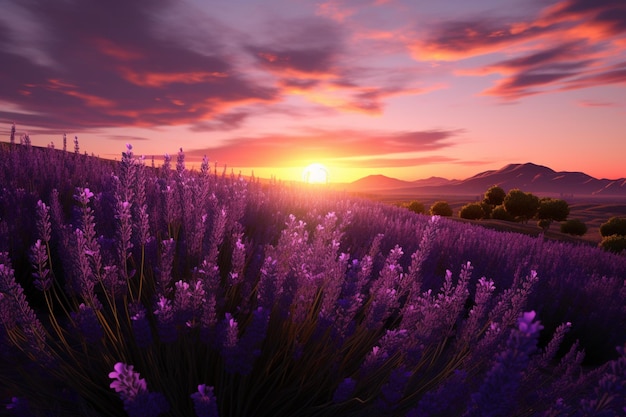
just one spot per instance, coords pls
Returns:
(404, 88)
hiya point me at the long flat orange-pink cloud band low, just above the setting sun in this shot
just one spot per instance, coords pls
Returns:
(294, 150)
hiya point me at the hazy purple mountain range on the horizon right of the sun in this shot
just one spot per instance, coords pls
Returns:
(527, 177)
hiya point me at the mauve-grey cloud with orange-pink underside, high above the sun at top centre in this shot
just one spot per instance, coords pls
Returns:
(316, 59)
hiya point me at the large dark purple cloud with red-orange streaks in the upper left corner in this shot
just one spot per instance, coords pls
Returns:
(107, 65)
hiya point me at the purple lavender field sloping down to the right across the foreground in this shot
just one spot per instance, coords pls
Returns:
(141, 290)
